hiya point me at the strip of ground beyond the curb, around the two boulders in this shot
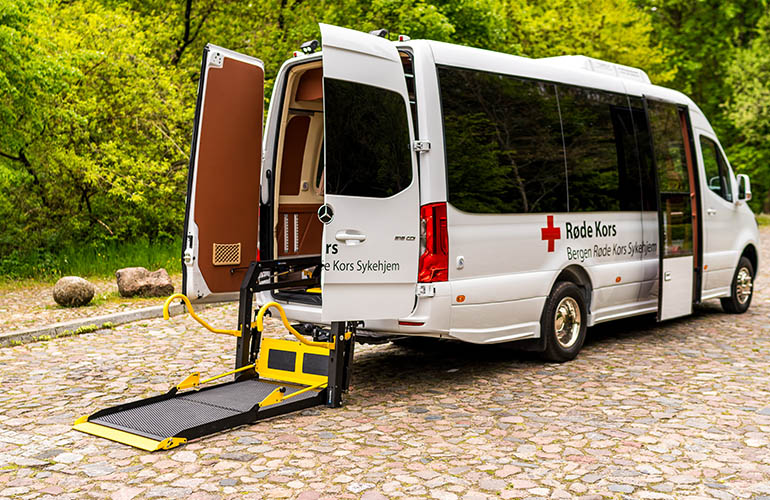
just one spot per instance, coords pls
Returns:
(30, 304)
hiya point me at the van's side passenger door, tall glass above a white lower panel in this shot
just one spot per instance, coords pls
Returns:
(677, 208)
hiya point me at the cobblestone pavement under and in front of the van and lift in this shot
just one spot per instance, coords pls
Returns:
(678, 410)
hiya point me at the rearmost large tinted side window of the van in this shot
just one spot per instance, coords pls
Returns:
(503, 143)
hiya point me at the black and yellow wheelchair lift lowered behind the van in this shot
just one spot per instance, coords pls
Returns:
(273, 377)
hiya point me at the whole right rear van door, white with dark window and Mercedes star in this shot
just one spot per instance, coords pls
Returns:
(371, 210)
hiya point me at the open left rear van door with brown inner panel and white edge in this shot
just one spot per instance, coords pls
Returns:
(223, 182)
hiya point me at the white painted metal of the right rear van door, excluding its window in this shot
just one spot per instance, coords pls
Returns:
(371, 244)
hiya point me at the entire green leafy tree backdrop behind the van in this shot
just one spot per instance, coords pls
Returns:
(97, 96)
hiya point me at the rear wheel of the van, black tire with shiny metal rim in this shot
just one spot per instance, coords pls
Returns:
(566, 300)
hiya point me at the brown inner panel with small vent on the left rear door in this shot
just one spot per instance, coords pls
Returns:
(228, 172)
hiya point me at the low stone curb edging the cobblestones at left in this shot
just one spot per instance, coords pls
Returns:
(92, 324)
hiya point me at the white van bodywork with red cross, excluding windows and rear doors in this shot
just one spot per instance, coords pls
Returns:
(500, 268)
